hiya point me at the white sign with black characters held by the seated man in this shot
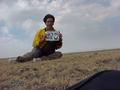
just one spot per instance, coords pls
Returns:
(52, 36)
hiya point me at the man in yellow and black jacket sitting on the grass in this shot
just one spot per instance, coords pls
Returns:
(41, 47)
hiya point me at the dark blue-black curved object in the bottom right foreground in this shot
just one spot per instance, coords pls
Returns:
(104, 80)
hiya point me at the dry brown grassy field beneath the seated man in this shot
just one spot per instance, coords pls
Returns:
(56, 74)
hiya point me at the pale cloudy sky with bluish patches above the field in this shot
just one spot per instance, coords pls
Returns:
(85, 24)
